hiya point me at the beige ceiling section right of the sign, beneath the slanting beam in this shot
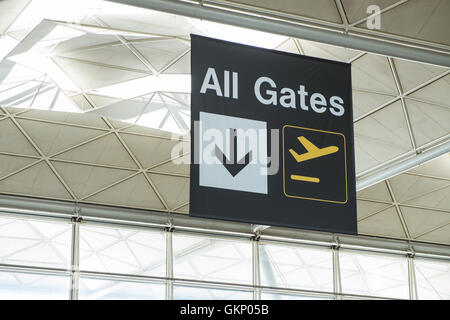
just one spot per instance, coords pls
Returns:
(424, 203)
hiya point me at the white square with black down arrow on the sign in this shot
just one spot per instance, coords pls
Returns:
(232, 153)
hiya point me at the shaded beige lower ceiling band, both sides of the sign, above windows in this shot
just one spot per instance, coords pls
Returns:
(86, 158)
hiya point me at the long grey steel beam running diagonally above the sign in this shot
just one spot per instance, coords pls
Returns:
(302, 31)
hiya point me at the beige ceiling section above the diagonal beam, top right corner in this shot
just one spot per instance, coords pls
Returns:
(422, 23)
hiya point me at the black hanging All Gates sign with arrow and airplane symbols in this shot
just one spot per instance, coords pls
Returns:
(271, 138)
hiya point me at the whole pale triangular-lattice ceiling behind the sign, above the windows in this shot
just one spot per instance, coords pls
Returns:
(94, 96)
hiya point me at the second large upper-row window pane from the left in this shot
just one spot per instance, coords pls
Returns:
(121, 250)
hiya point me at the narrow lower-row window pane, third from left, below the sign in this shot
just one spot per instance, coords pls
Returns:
(196, 293)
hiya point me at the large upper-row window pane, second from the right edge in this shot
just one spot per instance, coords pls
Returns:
(372, 274)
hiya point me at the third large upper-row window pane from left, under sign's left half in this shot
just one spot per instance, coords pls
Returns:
(211, 259)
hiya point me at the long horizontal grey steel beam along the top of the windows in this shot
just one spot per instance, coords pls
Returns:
(40, 208)
